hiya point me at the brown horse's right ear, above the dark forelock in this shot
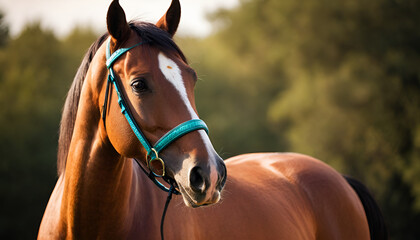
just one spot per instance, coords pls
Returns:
(170, 21)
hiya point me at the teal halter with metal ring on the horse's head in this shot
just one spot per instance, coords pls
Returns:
(164, 141)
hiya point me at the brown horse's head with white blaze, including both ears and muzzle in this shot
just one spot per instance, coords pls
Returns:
(157, 87)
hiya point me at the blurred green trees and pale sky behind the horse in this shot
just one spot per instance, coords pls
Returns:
(337, 80)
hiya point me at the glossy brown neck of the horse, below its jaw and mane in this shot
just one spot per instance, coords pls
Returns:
(99, 190)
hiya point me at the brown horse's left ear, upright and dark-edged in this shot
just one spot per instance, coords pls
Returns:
(117, 23)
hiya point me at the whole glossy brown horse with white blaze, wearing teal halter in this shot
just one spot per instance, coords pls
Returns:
(130, 129)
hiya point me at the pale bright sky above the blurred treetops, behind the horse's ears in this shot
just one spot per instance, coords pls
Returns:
(63, 15)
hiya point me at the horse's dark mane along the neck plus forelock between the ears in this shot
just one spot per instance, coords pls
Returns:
(147, 32)
